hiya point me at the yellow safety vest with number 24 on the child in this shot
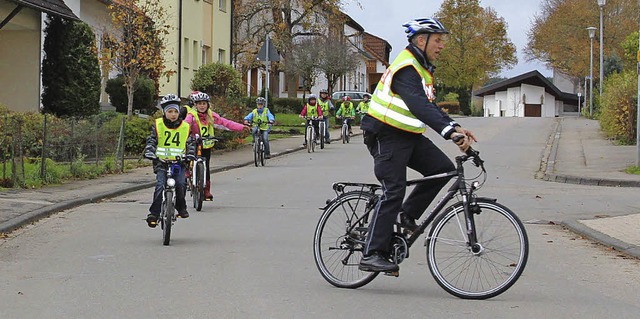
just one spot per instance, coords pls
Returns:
(171, 142)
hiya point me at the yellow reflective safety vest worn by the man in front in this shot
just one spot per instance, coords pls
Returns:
(388, 107)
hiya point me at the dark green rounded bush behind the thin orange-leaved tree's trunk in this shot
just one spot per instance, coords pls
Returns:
(143, 96)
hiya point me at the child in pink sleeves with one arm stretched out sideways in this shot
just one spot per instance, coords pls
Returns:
(203, 121)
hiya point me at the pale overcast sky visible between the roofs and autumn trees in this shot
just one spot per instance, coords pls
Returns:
(384, 18)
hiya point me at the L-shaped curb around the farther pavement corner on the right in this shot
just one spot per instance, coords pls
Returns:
(548, 160)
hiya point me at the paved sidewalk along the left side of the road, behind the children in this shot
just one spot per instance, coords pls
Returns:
(19, 207)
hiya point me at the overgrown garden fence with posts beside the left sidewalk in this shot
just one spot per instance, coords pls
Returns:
(40, 139)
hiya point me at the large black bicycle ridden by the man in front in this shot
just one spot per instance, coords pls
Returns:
(476, 248)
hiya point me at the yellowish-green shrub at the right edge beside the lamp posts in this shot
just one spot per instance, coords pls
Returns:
(618, 107)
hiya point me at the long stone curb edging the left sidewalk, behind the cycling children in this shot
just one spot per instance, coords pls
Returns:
(40, 213)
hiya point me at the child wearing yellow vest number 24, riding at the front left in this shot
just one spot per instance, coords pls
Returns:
(176, 141)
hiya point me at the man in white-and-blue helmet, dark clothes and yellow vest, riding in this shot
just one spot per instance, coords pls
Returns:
(401, 107)
